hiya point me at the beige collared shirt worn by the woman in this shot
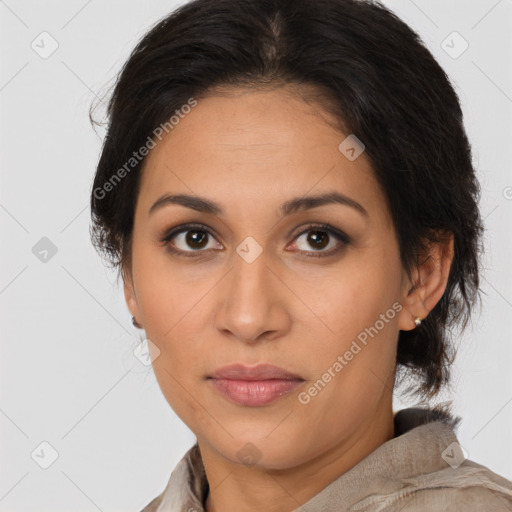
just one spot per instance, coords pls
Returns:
(421, 469)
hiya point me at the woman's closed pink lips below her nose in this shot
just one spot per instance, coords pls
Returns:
(254, 385)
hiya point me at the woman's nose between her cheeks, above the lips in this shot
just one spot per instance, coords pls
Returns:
(251, 302)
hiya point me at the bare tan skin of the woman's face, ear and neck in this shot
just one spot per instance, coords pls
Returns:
(250, 151)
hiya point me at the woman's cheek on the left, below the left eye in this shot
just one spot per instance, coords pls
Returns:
(174, 310)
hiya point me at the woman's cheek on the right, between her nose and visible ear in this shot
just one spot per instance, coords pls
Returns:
(359, 312)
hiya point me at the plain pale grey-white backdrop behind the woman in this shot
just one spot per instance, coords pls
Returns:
(69, 378)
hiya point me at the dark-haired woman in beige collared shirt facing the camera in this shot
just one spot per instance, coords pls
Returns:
(286, 188)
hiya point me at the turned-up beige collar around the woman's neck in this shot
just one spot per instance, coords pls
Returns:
(421, 435)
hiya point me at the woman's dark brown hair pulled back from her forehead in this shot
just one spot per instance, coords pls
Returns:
(371, 72)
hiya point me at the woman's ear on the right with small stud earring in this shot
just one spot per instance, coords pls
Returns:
(428, 282)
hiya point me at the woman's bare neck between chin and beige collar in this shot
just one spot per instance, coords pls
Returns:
(236, 487)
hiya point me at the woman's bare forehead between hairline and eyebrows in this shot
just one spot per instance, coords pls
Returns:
(255, 146)
